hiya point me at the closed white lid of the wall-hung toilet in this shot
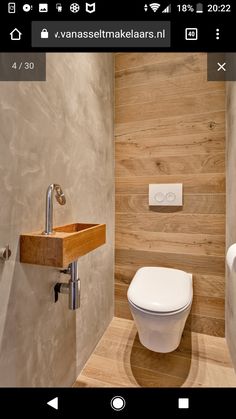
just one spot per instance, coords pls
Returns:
(161, 289)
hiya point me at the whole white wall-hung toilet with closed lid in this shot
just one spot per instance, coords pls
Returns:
(160, 300)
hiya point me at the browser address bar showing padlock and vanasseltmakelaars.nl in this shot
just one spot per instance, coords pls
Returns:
(92, 34)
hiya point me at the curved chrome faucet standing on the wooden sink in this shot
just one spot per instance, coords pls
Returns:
(61, 199)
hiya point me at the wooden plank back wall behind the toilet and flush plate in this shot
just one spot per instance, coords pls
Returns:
(170, 127)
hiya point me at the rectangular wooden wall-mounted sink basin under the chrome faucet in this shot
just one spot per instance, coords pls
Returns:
(65, 245)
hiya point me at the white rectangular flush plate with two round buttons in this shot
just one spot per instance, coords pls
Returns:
(166, 194)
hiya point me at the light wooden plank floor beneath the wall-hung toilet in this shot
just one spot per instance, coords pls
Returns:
(119, 360)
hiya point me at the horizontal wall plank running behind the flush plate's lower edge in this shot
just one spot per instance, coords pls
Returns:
(193, 204)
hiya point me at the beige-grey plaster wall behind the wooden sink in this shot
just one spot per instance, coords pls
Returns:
(58, 131)
